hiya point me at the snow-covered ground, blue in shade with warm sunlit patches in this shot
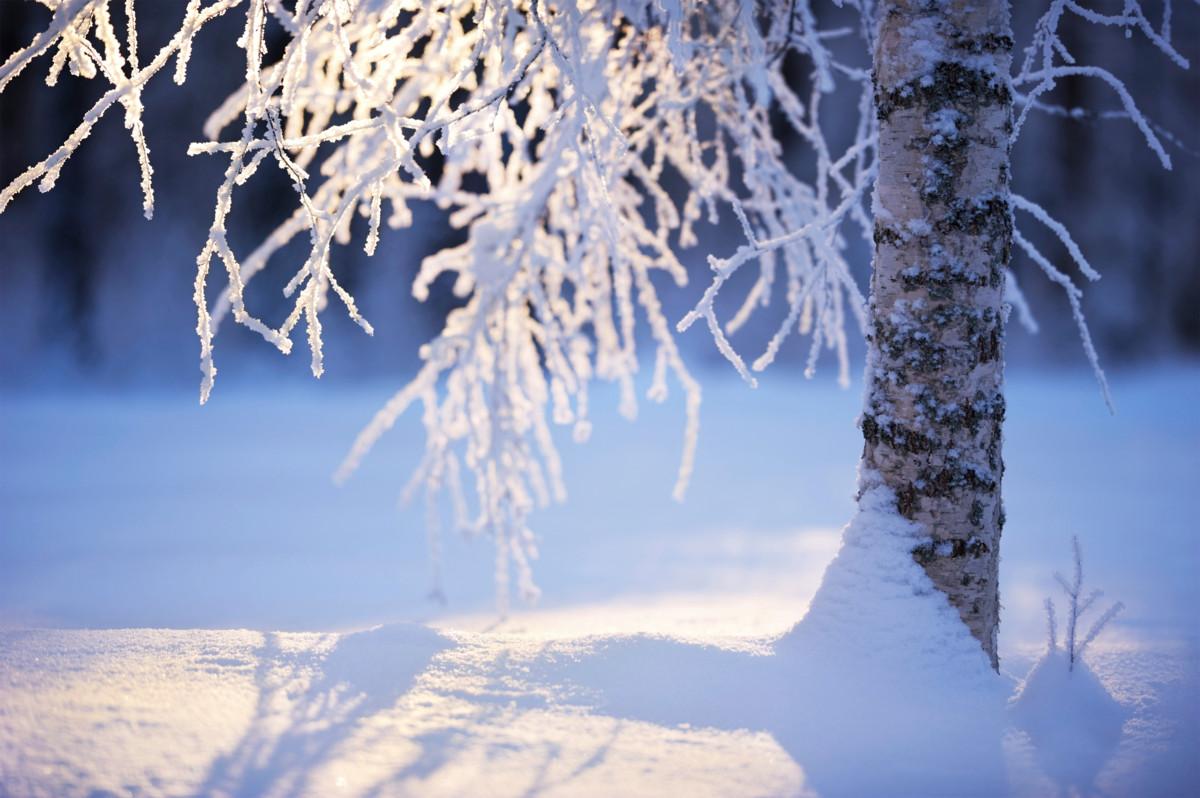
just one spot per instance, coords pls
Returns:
(130, 524)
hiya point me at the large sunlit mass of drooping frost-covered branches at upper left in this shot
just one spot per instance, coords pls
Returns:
(545, 130)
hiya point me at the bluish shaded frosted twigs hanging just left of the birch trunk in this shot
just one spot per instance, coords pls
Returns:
(795, 223)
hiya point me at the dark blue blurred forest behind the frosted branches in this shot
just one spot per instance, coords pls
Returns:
(92, 293)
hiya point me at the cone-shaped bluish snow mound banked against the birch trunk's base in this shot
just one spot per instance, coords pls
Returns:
(885, 671)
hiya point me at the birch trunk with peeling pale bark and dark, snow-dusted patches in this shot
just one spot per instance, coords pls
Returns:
(934, 406)
